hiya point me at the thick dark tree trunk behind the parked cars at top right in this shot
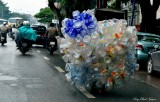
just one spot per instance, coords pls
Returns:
(148, 11)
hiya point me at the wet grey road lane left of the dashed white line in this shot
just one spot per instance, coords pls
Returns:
(29, 78)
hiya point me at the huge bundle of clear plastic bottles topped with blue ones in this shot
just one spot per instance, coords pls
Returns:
(100, 54)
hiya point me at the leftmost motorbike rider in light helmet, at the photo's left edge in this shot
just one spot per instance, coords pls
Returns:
(3, 31)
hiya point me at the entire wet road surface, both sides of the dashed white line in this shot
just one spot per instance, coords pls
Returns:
(40, 77)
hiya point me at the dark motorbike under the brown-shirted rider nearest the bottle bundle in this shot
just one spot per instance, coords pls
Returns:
(52, 45)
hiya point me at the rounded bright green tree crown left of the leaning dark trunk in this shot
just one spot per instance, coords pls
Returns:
(45, 15)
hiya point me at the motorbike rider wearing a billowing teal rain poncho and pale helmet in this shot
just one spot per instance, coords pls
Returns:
(25, 33)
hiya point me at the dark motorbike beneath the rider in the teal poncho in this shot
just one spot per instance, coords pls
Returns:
(24, 46)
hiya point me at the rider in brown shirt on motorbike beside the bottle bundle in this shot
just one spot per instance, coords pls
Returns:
(51, 33)
